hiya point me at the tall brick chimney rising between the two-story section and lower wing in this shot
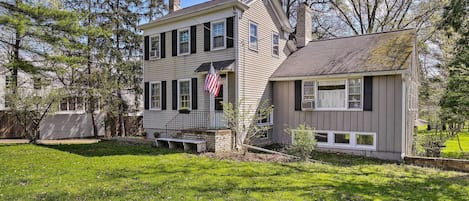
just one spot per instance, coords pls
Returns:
(303, 25)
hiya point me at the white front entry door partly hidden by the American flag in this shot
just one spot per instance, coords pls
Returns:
(216, 106)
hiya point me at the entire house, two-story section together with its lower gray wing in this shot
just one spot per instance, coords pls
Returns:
(358, 93)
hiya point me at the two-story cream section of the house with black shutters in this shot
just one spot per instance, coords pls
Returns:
(244, 40)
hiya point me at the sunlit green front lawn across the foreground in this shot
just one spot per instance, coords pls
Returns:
(110, 171)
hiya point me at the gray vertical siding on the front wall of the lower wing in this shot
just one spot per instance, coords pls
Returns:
(366, 121)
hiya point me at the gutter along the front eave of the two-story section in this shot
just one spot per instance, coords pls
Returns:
(201, 11)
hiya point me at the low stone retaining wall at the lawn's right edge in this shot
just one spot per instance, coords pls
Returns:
(441, 163)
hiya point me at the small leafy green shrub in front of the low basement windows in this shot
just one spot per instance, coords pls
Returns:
(303, 141)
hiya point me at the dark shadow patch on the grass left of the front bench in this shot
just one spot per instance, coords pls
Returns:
(110, 148)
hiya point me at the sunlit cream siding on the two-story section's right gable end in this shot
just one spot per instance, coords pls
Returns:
(255, 67)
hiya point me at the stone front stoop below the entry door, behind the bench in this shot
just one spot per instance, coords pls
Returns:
(217, 140)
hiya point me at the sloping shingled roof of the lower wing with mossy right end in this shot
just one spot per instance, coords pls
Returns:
(379, 52)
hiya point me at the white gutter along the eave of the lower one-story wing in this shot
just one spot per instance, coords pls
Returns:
(377, 73)
